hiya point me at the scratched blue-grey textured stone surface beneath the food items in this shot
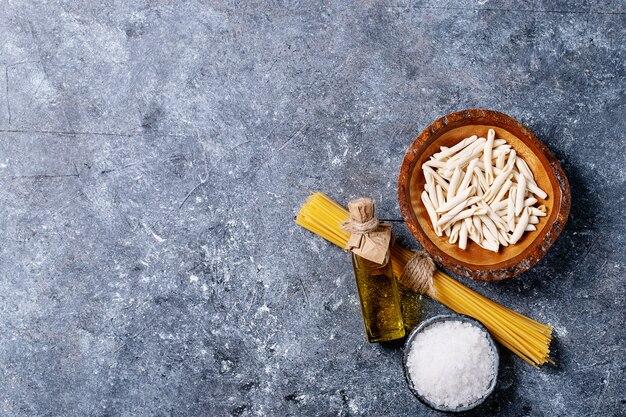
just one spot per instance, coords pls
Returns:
(153, 155)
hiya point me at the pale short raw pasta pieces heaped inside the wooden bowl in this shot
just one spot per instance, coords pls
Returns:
(480, 190)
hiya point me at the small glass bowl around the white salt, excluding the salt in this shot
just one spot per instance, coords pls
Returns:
(449, 317)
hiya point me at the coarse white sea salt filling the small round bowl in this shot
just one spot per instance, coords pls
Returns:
(451, 363)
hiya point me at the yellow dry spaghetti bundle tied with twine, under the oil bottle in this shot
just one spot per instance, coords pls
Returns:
(527, 338)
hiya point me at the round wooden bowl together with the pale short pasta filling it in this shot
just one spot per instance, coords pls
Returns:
(454, 141)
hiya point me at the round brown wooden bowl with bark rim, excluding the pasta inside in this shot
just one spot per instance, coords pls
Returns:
(476, 262)
